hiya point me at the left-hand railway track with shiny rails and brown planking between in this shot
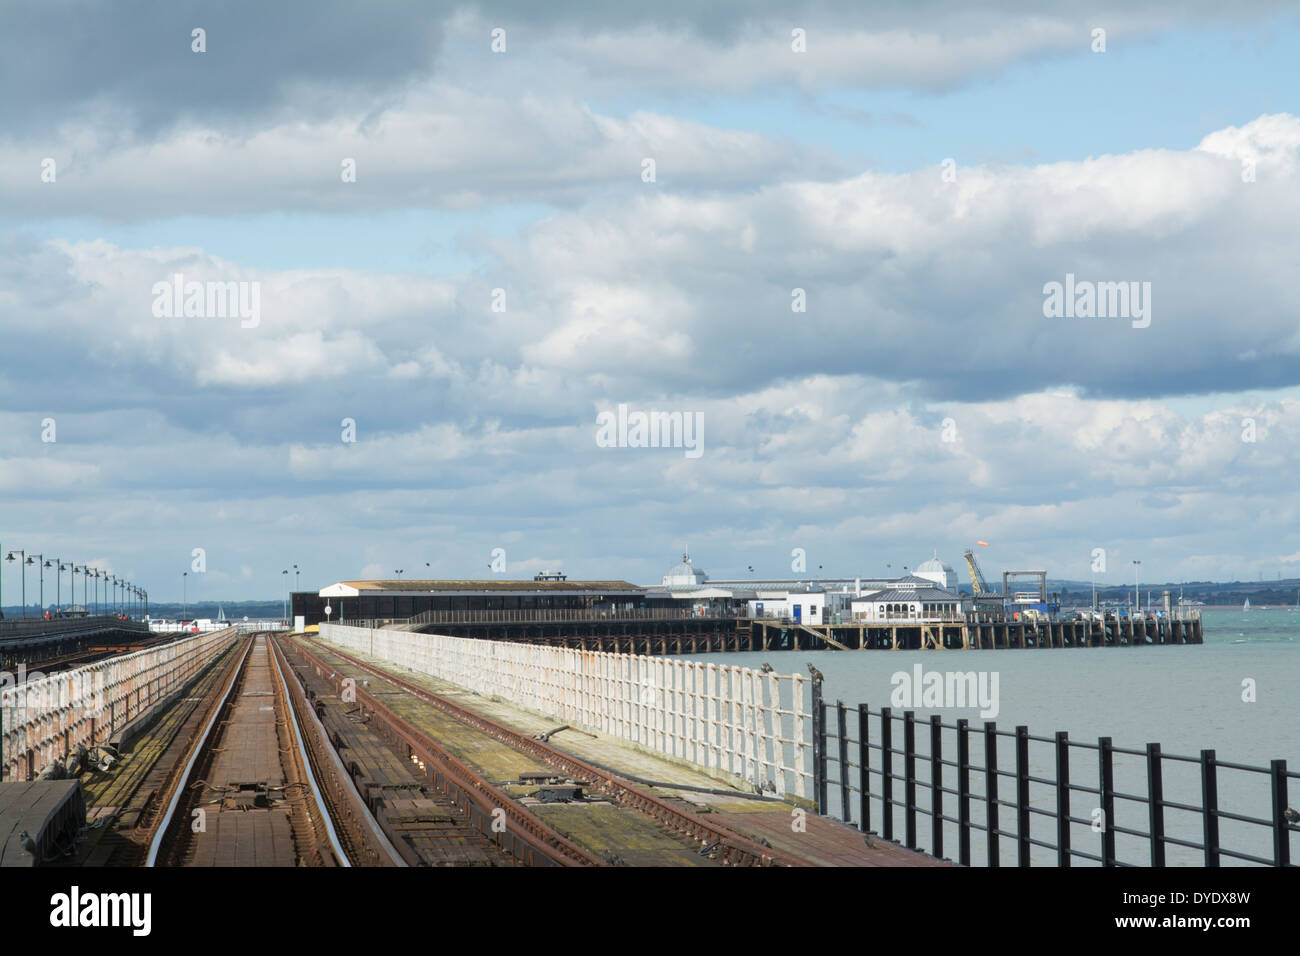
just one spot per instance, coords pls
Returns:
(249, 794)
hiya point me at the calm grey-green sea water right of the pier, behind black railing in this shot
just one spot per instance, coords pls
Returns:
(1238, 694)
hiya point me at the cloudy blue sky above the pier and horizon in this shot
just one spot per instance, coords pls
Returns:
(824, 233)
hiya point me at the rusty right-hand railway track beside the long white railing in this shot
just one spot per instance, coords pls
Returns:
(721, 845)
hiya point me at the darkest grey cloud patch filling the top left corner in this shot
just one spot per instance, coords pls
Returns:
(132, 63)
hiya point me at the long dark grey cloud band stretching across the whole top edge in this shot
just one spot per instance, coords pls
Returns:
(129, 66)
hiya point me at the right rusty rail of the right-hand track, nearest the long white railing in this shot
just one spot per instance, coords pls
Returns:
(731, 847)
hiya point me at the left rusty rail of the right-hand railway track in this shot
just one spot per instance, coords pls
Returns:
(469, 789)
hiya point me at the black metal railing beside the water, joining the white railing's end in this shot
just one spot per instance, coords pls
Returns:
(882, 781)
